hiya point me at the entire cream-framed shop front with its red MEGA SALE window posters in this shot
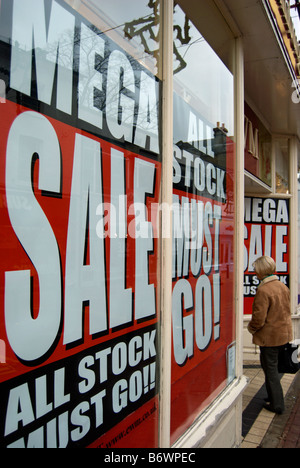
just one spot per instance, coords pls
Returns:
(124, 133)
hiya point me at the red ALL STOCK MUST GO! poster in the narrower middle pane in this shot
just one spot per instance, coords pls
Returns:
(203, 273)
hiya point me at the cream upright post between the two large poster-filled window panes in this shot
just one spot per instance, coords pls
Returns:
(166, 227)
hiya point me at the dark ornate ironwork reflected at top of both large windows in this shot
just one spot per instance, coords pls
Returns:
(148, 28)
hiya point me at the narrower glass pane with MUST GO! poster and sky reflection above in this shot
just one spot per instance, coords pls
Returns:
(203, 226)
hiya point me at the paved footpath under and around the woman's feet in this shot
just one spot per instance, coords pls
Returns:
(261, 428)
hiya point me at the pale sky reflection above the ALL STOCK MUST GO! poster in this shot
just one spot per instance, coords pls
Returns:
(201, 79)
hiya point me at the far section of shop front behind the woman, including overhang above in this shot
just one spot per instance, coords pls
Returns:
(271, 157)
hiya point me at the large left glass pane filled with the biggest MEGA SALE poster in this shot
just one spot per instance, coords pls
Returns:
(80, 175)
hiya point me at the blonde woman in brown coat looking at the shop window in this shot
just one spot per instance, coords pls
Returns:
(271, 327)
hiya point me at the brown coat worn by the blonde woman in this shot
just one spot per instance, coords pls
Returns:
(271, 323)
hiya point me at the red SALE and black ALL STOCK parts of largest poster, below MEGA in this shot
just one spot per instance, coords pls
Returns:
(54, 262)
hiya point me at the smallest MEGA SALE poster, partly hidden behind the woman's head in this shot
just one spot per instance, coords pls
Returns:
(266, 232)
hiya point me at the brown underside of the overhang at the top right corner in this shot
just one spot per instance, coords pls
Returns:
(268, 81)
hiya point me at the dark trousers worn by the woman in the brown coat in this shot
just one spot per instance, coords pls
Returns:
(269, 363)
